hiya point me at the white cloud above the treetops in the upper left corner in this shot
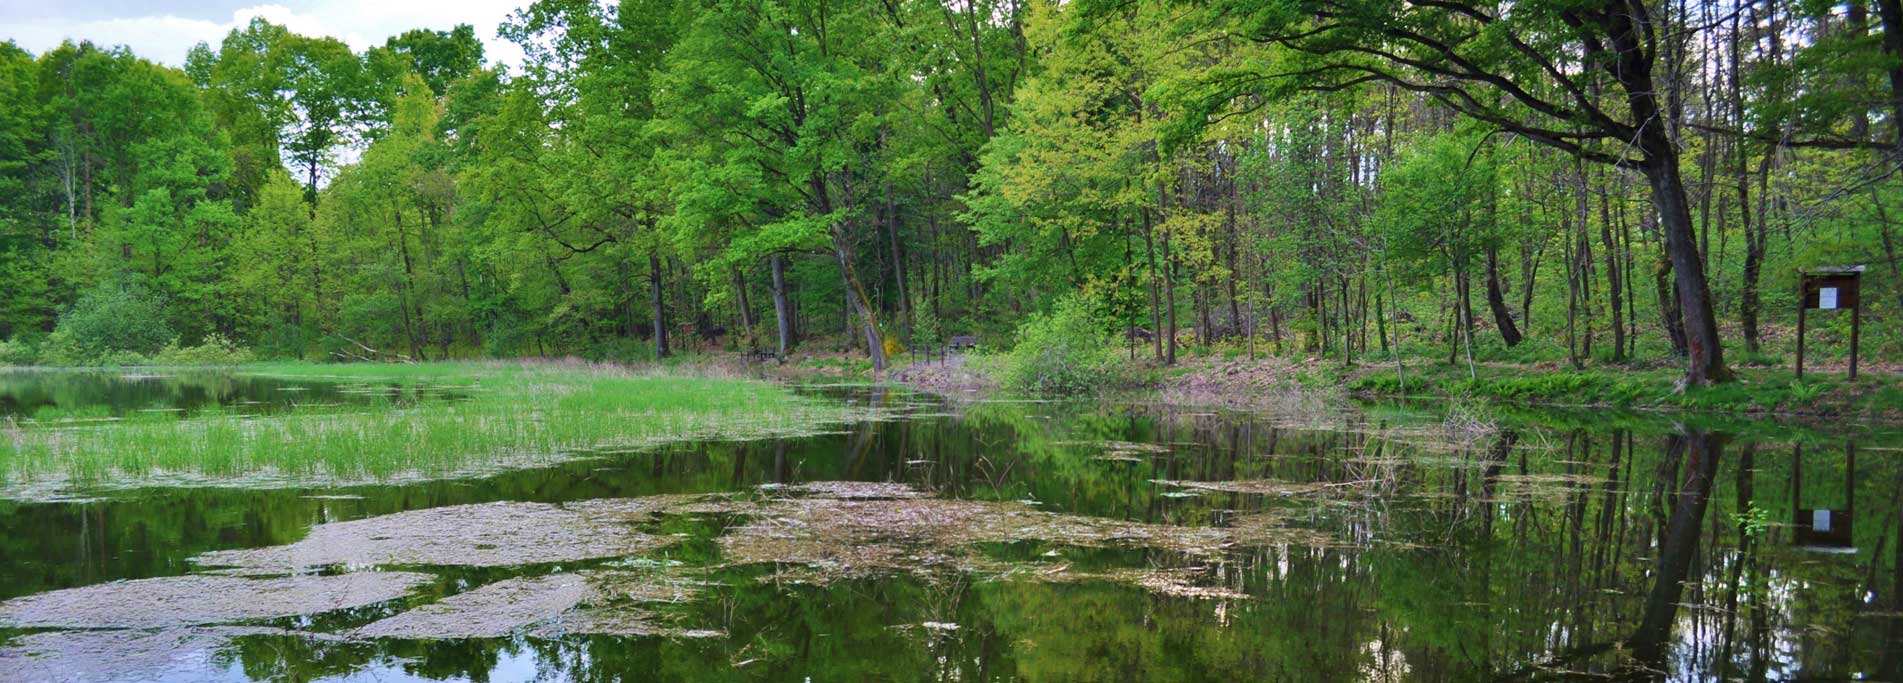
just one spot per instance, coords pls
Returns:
(359, 24)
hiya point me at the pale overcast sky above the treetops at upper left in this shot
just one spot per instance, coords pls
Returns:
(167, 29)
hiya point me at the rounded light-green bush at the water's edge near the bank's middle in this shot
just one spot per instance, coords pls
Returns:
(1063, 353)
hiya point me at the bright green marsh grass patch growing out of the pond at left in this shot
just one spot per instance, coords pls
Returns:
(507, 416)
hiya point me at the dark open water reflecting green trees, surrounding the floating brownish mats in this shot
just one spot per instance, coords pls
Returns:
(1461, 553)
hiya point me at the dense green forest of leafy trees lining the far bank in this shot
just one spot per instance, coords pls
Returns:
(1579, 184)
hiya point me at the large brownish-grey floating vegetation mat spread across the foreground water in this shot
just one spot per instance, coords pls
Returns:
(810, 534)
